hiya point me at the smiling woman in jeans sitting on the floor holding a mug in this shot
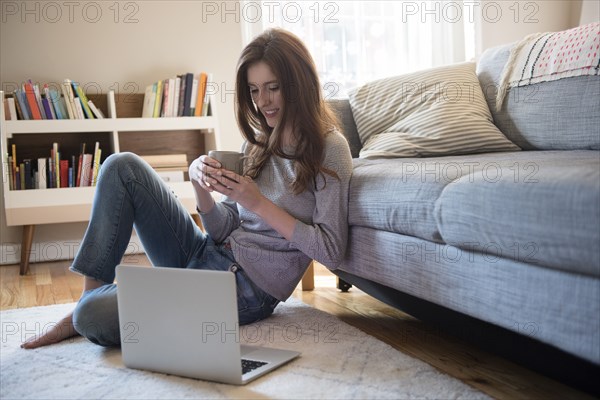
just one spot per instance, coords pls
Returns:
(289, 208)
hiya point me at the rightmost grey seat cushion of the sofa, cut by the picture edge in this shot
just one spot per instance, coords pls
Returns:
(537, 207)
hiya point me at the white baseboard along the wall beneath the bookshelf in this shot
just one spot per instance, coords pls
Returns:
(10, 253)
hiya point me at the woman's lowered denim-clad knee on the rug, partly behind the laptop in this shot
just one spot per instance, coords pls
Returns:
(96, 316)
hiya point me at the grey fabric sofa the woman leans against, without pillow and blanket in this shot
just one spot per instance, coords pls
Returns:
(502, 249)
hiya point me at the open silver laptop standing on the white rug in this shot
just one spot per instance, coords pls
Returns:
(185, 322)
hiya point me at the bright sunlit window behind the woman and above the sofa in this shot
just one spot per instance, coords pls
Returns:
(353, 42)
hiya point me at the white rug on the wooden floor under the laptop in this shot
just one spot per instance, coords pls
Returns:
(338, 361)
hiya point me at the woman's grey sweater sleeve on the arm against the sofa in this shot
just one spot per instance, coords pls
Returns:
(325, 239)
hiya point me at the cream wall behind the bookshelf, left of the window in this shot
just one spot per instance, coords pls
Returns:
(89, 41)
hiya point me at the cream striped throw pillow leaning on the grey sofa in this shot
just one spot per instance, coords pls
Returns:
(436, 112)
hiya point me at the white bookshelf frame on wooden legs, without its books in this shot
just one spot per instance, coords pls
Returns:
(60, 205)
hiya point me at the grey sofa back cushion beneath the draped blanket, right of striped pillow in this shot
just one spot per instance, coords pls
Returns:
(556, 115)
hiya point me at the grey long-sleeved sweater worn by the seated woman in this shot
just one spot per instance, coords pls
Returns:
(273, 263)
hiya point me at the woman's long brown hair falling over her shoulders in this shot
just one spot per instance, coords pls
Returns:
(304, 108)
